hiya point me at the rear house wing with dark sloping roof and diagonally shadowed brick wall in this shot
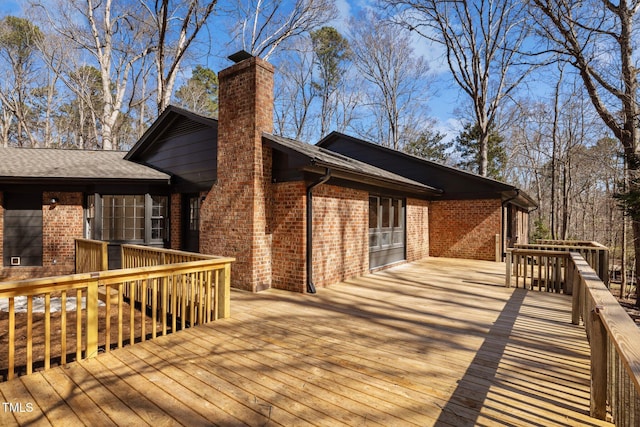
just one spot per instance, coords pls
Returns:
(471, 211)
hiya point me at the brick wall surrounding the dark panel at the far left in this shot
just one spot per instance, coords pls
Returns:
(61, 225)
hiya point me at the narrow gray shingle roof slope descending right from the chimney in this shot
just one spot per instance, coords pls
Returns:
(326, 158)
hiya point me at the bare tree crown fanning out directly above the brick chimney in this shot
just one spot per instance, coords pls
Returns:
(264, 25)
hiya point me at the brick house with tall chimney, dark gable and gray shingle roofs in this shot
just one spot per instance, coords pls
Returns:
(230, 187)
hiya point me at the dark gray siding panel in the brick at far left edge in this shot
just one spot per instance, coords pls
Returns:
(23, 228)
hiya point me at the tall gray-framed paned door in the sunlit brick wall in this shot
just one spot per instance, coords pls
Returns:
(386, 230)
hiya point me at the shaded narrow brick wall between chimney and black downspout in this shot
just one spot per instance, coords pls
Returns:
(289, 236)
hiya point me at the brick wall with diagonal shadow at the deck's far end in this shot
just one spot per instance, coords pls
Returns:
(464, 228)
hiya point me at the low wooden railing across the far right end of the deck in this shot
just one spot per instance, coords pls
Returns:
(542, 265)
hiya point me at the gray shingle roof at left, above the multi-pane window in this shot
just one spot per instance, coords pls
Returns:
(45, 163)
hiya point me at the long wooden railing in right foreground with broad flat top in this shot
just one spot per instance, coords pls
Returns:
(614, 339)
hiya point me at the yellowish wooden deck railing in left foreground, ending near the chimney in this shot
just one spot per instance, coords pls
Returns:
(181, 294)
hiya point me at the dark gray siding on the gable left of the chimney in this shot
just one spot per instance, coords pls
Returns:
(188, 152)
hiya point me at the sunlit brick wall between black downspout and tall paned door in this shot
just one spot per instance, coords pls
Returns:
(340, 234)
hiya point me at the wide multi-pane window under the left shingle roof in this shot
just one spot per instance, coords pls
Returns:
(128, 218)
